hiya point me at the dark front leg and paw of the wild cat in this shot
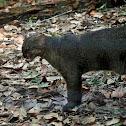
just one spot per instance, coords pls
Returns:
(73, 90)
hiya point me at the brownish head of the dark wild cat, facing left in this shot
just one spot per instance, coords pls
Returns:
(33, 46)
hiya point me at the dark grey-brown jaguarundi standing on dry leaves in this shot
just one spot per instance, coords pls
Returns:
(73, 55)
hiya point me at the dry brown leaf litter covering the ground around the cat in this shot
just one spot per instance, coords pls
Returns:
(32, 94)
